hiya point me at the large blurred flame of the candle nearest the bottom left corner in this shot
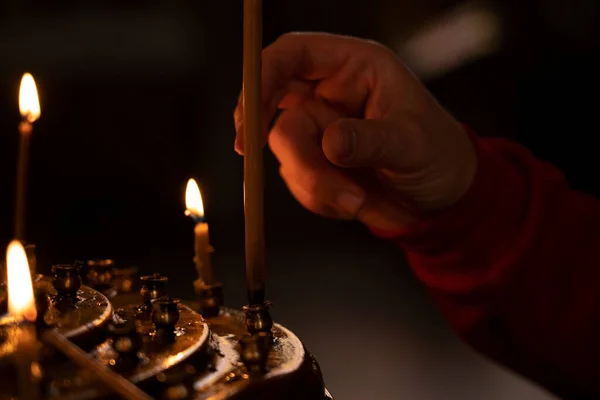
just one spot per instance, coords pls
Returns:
(20, 289)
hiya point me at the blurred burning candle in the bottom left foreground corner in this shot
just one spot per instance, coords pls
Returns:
(21, 304)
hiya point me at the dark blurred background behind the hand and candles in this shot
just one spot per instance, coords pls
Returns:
(138, 98)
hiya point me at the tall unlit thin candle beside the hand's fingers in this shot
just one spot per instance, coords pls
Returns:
(253, 158)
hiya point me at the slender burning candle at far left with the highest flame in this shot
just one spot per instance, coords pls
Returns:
(29, 106)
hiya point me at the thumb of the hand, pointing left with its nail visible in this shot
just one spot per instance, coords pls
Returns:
(364, 143)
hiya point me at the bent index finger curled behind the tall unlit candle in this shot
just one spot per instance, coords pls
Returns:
(344, 67)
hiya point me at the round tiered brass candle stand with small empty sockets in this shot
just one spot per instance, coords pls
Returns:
(152, 341)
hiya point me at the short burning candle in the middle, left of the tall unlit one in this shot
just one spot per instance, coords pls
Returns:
(202, 247)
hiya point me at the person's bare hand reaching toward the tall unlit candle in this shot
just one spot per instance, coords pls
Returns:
(359, 137)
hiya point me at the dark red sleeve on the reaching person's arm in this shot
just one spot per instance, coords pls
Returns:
(515, 268)
